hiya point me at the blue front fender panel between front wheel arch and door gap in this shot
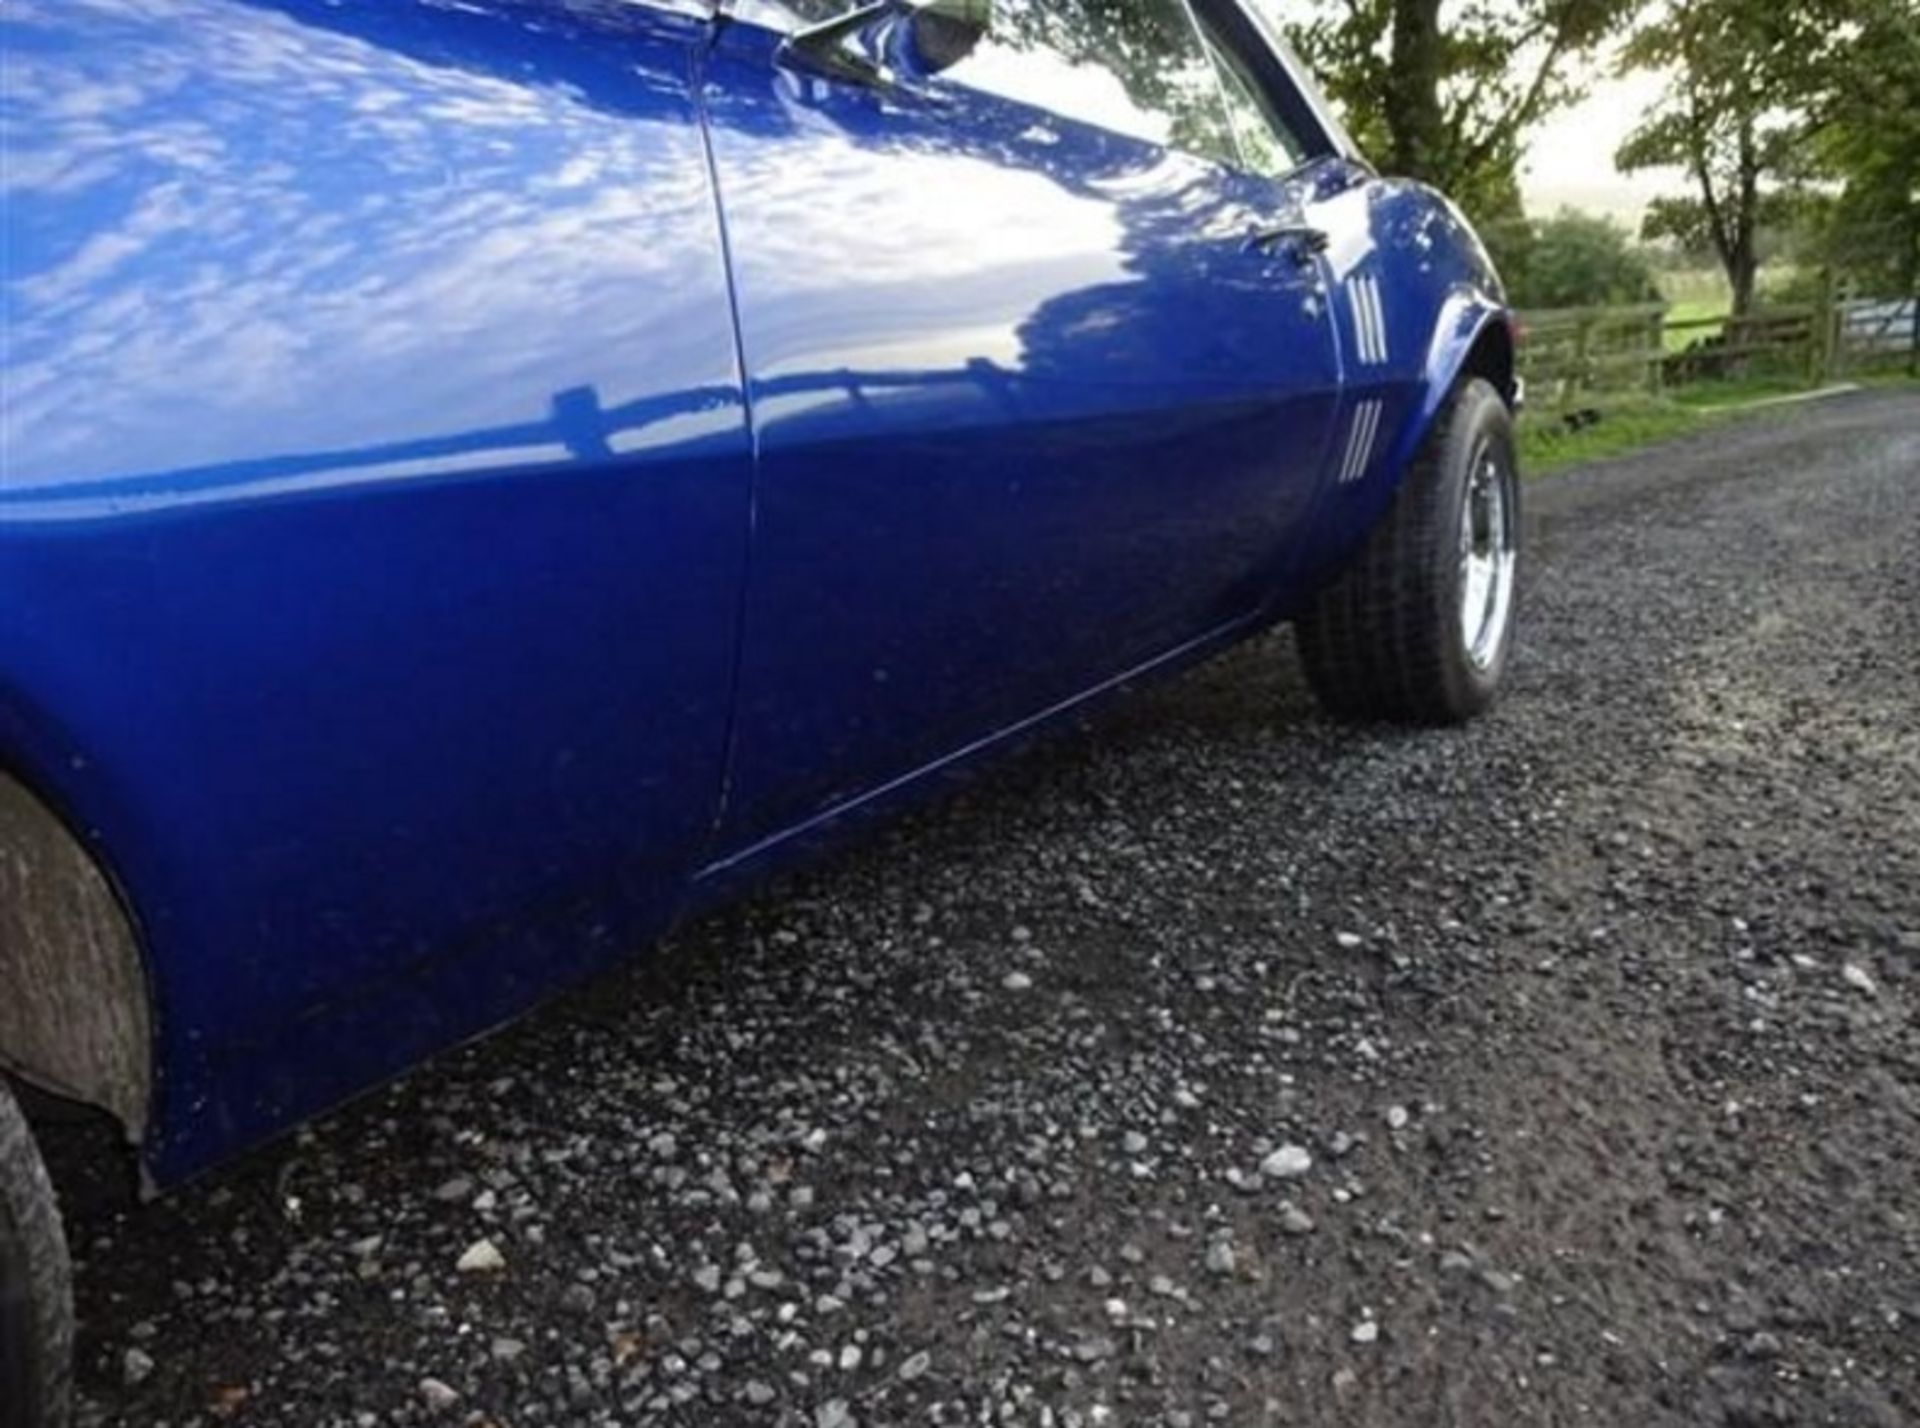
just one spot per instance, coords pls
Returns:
(373, 508)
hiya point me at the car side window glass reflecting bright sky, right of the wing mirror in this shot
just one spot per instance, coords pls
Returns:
(1130, 66)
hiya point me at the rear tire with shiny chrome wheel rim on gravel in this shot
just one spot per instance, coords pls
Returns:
(1414, 631)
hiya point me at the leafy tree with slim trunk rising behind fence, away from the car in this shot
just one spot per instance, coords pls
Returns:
(1737, 116)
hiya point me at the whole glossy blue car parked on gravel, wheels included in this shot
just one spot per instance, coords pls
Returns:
(483, 481)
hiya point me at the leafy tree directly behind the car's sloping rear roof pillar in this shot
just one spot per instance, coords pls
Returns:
(1445, 91)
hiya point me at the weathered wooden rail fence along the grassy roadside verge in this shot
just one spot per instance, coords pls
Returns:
(1573, 354)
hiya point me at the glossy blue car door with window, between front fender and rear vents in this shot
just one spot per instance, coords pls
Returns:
(1042, 385)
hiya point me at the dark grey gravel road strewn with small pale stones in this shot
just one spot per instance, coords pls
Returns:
(1211, 1066)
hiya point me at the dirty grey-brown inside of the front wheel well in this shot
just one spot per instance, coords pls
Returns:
(74, 999)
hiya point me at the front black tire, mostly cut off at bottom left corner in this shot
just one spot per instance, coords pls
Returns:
(36, 1285)
